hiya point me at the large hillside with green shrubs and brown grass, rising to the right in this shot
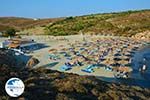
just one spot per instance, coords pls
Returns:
(123, 23)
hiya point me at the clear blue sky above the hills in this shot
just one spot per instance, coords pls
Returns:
(64, 8)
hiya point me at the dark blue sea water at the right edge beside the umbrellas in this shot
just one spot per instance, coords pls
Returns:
(138, 78)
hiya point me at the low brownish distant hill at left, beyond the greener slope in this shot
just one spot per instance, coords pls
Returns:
(23, 23)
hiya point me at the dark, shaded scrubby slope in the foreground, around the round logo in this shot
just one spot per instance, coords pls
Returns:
(44, 84)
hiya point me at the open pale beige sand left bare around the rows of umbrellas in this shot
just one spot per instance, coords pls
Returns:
(54, 42)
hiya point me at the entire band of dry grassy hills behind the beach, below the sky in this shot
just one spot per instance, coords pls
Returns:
(127, 23)
